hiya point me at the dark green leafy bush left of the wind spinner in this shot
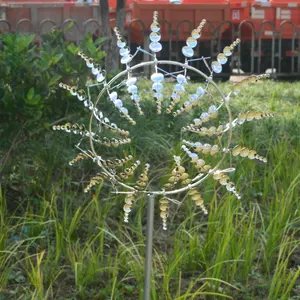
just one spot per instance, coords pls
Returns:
(30, 72)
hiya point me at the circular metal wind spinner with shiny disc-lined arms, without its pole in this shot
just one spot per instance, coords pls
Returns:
(180, 102)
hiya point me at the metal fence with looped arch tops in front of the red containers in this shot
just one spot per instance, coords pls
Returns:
(276, 51)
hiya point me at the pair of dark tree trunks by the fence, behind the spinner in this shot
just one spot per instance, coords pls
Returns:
(111, 63)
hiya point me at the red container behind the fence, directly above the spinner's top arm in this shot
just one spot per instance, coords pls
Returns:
(183, 18)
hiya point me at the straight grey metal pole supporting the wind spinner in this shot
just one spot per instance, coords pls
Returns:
(149, 246)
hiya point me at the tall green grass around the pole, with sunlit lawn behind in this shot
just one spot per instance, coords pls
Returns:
(58, 243)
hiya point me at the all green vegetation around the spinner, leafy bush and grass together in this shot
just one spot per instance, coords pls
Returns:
(58, 243)
